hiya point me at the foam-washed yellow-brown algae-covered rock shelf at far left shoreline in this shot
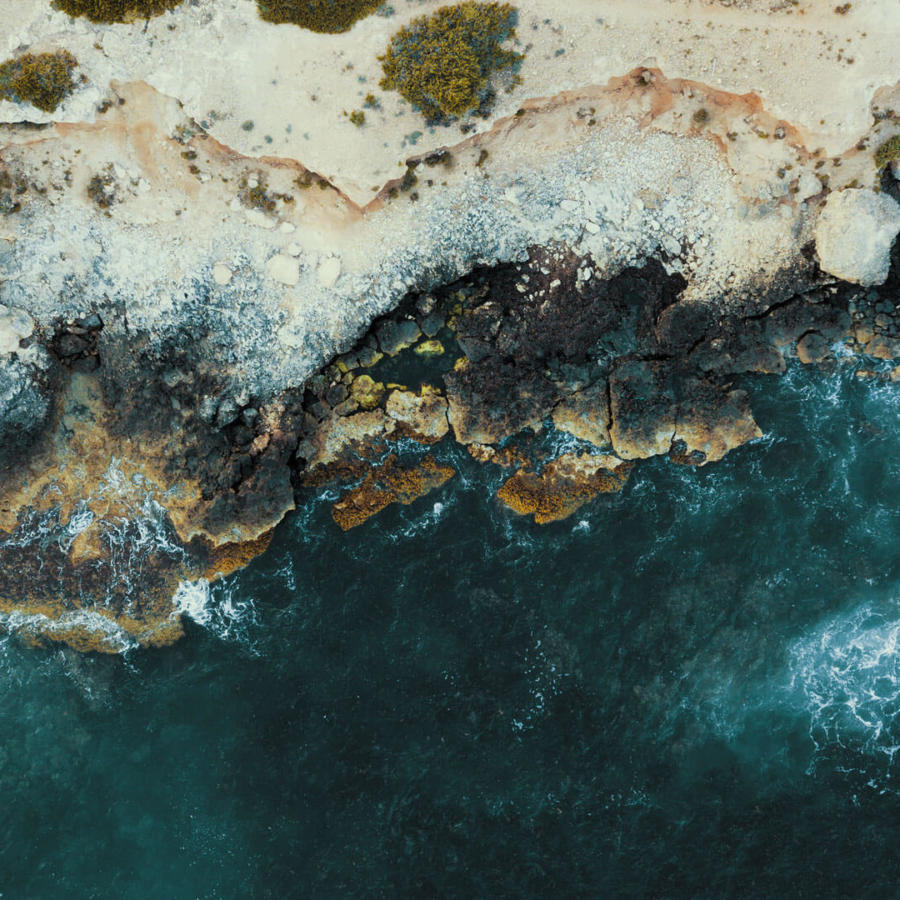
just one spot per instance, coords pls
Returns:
(124, 531)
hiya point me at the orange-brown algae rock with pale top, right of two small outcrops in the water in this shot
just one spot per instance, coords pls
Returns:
(564, 485)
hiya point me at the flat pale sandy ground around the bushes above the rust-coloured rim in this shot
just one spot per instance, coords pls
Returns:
(228, 68)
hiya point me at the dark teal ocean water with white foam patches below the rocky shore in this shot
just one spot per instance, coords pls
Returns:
(690, 689)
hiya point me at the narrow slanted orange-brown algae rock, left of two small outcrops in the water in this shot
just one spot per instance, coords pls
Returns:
(387, 484)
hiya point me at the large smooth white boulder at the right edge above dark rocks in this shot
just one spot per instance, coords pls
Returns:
(854, 235)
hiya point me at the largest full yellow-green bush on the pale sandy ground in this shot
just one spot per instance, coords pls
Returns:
(443, 63)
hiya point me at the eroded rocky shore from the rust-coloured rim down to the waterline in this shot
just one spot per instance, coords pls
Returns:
(188, 333)
